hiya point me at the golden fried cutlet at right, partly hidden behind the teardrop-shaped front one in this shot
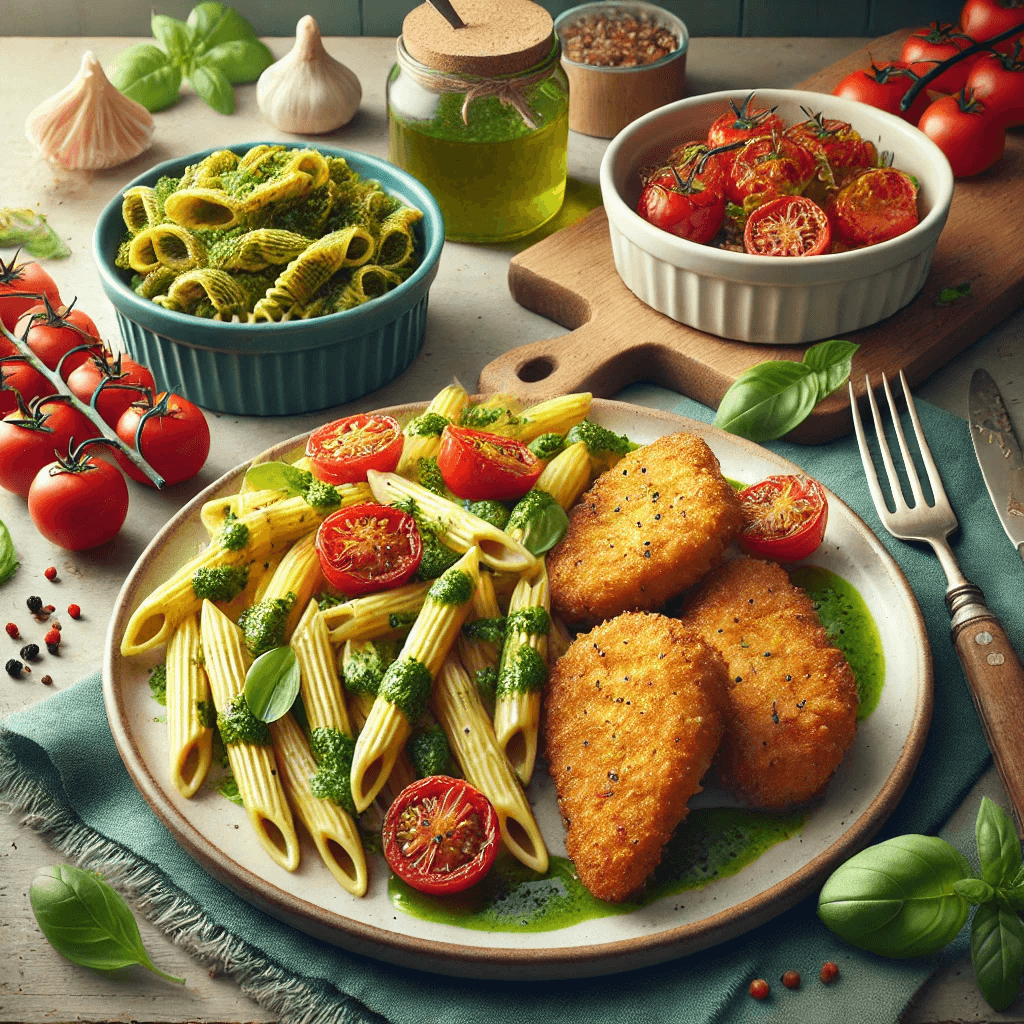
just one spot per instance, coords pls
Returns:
(792, 696)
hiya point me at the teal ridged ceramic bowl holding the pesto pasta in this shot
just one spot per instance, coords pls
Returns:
(278, 369)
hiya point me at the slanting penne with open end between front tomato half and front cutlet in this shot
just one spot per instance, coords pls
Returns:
(475, 746)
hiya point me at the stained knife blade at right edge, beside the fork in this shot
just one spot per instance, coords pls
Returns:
(999, 455)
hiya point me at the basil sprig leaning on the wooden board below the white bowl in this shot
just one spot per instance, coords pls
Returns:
(770, 400)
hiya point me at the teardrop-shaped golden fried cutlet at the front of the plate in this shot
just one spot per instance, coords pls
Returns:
(633, 714)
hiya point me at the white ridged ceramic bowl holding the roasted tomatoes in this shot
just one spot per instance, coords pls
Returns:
(759, 300)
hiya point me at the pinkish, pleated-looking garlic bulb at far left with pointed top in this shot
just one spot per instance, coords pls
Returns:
(89, 124)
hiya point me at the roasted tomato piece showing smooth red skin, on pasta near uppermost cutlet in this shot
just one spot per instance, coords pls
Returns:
(479, 465)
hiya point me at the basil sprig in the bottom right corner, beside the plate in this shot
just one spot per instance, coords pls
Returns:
(911, 897)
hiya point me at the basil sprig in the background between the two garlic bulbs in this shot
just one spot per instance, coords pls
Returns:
(215, 50)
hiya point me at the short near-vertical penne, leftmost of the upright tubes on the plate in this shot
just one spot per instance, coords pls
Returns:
(190, 729)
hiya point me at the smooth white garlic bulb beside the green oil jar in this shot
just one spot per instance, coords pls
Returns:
(308, 92)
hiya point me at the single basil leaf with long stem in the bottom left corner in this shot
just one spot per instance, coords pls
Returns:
(88, 922)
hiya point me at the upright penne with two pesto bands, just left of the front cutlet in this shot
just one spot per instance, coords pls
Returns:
(522, 674)
